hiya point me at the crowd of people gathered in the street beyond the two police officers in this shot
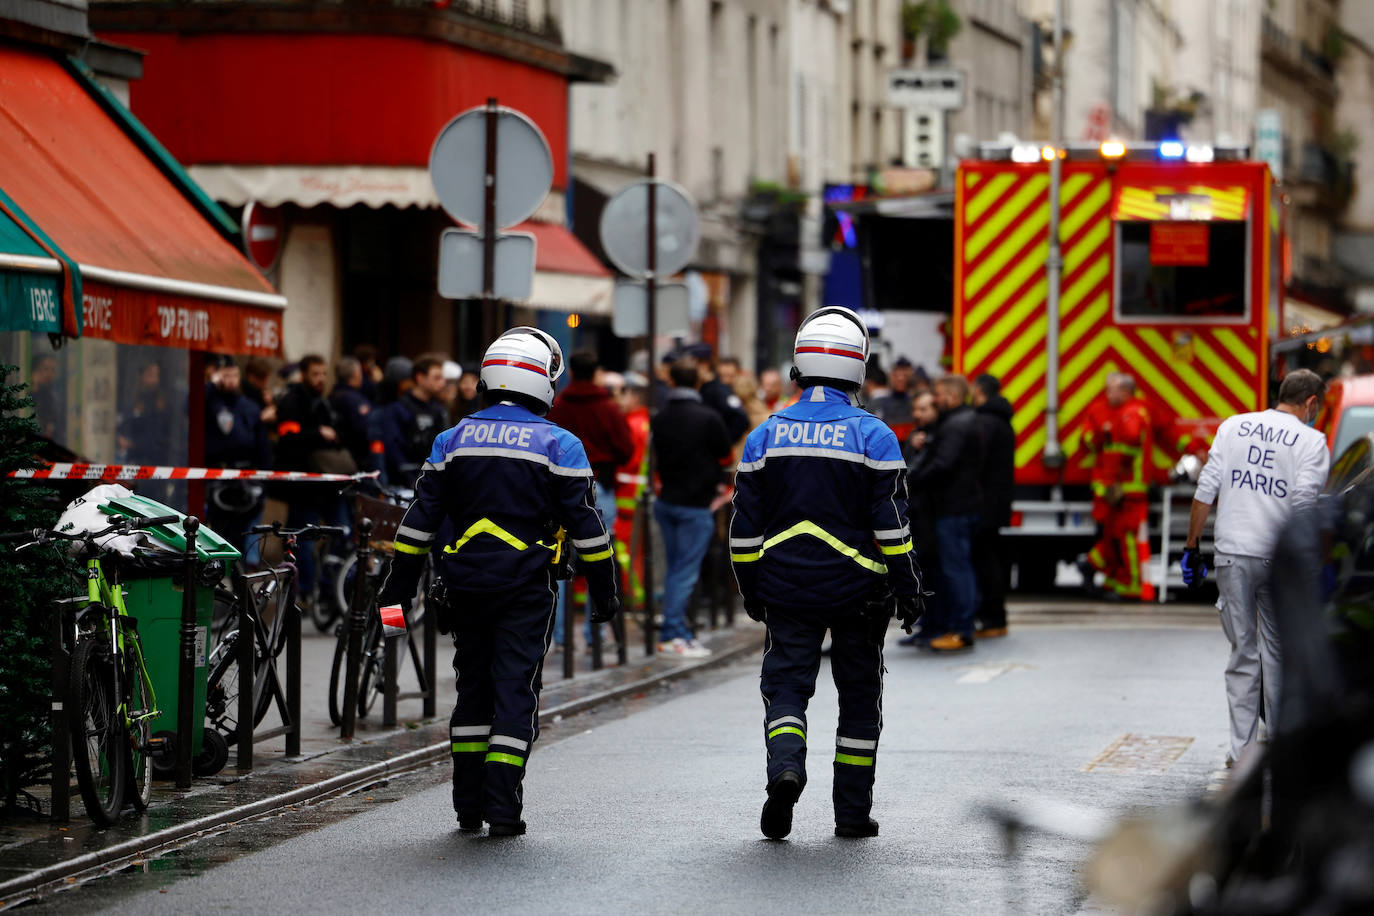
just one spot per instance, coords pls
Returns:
(362, 415)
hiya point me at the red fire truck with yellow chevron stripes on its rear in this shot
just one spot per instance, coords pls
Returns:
(1171, 271)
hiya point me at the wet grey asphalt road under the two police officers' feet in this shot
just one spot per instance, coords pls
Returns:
(657, 812)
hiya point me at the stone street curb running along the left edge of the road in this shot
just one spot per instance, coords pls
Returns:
(19, 891)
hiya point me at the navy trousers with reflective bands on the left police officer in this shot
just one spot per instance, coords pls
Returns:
(499, 646)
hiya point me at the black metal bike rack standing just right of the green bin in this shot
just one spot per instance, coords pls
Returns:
(288, 705)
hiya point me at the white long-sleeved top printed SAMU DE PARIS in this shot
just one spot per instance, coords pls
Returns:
(1262, 469)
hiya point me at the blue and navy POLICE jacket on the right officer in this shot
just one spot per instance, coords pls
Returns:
(821, 507)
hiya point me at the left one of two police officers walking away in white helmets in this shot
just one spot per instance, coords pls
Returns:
(510, 492)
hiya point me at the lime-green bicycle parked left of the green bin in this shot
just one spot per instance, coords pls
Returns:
(111, 694)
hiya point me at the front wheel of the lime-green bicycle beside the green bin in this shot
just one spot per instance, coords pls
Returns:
(100, 746)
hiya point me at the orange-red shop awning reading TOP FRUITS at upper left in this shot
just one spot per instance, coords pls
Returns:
(153, 268)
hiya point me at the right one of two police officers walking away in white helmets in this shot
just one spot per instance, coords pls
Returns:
(821, 540)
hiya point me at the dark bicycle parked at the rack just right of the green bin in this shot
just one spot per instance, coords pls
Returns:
(271, 598)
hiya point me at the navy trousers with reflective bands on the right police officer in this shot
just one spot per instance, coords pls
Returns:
(792, 663)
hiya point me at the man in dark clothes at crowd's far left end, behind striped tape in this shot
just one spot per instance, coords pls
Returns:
(236, 439)
